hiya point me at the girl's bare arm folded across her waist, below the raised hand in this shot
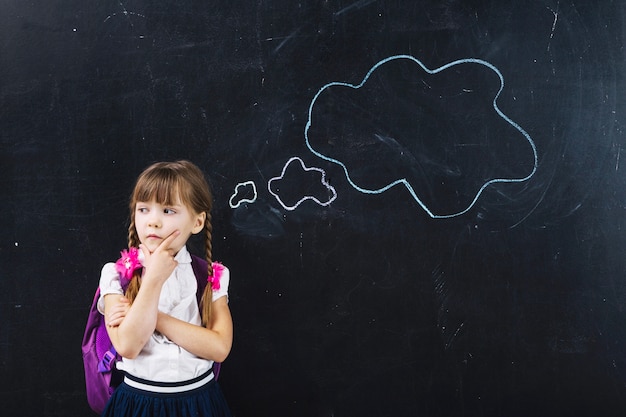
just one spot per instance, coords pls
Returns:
(212, 342)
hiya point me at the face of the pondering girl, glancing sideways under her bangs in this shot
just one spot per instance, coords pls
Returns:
(155, 222)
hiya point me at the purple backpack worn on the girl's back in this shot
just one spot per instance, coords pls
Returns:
(99, 355)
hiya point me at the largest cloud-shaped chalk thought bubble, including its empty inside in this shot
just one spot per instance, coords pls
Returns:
(438, 133)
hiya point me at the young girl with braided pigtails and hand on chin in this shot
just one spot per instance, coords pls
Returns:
(167, 343)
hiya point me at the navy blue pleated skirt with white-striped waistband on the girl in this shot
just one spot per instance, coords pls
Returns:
(131, 400)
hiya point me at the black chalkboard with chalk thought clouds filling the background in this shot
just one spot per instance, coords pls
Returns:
(421, 202)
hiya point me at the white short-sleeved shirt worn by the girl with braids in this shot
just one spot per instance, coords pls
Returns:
(160, 359)
